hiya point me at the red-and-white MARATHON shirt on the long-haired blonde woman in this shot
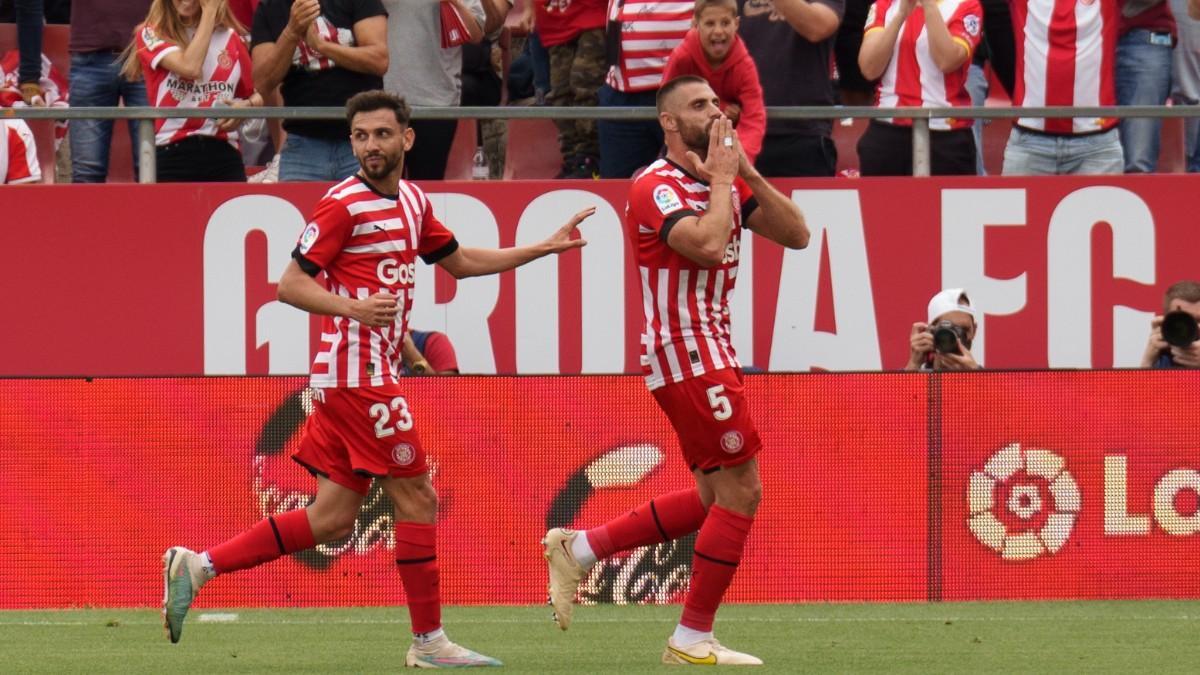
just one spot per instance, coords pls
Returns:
(226, 76)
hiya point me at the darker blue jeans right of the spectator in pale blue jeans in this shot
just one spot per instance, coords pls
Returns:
(1143, 79)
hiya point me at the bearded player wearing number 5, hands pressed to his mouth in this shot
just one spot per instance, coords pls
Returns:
(686, 218)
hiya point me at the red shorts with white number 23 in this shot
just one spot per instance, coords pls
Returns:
(357, 435)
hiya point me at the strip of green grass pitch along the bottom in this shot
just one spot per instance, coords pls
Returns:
(1093, 637)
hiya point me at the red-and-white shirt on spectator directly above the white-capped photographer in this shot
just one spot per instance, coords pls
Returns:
(913, 77)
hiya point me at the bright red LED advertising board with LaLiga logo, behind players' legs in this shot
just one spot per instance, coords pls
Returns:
(879, 488)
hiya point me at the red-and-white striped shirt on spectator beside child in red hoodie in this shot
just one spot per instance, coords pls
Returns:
(650, 32)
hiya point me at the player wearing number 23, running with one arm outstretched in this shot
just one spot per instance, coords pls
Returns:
(365, 235)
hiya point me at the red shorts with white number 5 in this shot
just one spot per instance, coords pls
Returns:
(711, 416)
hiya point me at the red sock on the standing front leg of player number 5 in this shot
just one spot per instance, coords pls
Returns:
(718, 554)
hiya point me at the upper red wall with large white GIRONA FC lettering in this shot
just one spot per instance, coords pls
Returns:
(1067, 272)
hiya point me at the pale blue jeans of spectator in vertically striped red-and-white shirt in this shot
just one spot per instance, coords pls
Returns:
(1040, 154)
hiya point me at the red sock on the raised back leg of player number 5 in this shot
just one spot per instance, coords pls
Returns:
(662, 519)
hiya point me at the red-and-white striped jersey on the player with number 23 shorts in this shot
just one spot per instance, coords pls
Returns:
(368, 243)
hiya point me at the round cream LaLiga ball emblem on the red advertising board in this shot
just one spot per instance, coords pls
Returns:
(1024, 504)
